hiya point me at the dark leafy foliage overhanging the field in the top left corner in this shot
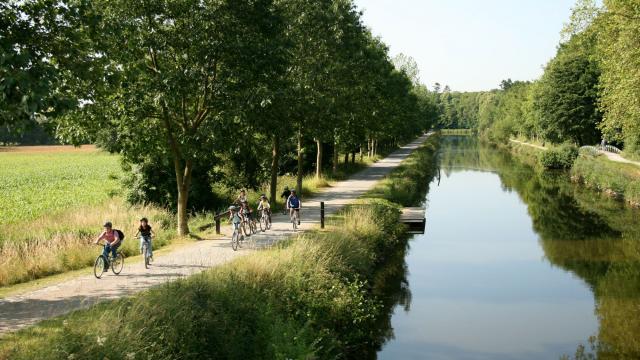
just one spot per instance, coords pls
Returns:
(40, 40)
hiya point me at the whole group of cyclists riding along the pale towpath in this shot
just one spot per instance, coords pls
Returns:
(239, 212)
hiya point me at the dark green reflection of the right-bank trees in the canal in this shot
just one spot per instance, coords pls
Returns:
(583, 232)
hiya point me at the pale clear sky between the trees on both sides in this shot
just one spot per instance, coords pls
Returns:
(470, 45)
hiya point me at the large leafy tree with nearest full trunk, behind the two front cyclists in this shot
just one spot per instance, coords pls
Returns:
(176, 72)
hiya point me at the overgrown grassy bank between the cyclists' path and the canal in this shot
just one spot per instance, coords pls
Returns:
(311, 297)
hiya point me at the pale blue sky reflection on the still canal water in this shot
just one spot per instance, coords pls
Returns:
(481, 288)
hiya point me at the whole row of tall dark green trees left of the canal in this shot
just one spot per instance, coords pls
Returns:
(207, 89)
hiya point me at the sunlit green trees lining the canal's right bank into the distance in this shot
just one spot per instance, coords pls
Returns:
(590, 90)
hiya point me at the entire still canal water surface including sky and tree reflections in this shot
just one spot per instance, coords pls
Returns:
(517, 264)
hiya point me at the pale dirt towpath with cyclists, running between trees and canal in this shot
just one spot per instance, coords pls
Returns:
(53, 300)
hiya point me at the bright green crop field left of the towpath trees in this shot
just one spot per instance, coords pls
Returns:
(37, 184)
